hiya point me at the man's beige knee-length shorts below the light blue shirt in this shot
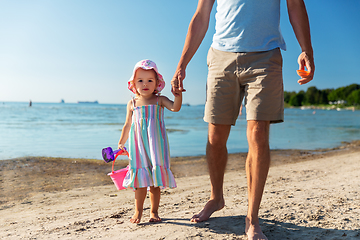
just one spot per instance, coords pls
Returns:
(255, 77)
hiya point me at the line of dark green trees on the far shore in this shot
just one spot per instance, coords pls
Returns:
(345, 96)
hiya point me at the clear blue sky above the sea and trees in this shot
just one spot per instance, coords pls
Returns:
(85, 50)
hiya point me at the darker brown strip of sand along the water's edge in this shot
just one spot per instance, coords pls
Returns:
(23, 177)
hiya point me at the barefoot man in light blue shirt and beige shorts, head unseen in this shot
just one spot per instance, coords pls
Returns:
(244, 61)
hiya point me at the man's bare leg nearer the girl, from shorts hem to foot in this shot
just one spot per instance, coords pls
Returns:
(216, 155)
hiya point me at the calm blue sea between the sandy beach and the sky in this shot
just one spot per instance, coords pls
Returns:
(82, 130)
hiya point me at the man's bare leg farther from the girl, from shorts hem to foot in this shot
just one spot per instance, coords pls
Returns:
(257, 168)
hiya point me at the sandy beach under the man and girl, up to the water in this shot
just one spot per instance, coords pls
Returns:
(308, 195)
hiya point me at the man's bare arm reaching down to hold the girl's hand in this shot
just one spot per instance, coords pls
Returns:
(196, 33)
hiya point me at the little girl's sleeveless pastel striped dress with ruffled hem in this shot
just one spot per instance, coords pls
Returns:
(149, 150)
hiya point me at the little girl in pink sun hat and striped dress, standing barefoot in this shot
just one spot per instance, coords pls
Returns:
(148, 142)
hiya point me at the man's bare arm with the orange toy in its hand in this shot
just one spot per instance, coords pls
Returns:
(300, 23)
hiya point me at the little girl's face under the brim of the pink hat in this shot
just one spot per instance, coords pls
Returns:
(145, 81)
